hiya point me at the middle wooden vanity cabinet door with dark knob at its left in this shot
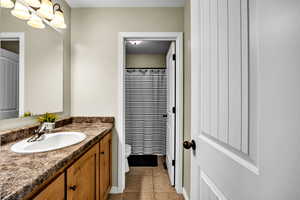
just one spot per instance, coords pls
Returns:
(82, 177)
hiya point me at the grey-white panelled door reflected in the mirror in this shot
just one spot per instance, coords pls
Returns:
(9, 84)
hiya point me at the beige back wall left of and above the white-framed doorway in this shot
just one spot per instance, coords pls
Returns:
(94, 58)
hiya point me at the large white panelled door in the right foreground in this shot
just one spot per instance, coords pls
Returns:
(243, 58)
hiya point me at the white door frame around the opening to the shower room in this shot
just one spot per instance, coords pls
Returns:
(120, 123)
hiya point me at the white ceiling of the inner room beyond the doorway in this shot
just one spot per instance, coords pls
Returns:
(148, 47)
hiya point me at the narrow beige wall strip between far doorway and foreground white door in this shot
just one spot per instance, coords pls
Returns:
(187, 95)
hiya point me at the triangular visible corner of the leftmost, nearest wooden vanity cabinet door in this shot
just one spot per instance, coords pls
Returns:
(56, 190)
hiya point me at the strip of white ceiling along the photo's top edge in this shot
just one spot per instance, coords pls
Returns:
(126, 3)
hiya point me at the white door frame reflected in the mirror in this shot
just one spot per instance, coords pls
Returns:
(20, 36)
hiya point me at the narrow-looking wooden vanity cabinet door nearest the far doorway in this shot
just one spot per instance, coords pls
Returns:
(105, 166)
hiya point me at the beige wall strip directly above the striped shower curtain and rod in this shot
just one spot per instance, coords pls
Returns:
(146, 60)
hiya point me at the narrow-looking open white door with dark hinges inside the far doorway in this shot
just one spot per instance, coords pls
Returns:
(170, 140)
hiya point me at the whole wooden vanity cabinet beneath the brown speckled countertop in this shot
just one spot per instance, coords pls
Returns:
(88, 178)
